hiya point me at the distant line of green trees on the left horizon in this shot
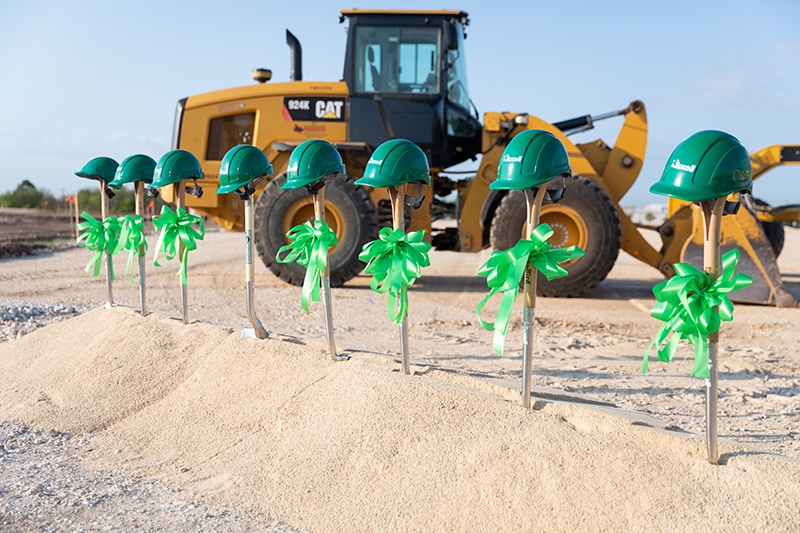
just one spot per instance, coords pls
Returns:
(27, 196)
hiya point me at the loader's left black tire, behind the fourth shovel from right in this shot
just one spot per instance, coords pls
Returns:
(357, 213)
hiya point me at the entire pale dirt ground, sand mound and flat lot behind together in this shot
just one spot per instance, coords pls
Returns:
(275, 430)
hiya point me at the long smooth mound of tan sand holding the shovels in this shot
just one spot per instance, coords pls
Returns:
(275, 427)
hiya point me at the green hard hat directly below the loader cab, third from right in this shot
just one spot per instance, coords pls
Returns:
(396, 162)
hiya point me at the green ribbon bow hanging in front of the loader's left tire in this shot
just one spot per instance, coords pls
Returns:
(309, 247)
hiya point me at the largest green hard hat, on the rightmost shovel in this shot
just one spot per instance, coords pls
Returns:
(709, 164)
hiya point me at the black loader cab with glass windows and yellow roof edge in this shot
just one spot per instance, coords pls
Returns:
(406, 76)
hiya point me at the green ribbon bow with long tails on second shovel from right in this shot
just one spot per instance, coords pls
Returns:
(505, 269)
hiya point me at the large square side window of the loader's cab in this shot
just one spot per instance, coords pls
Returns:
(396, 60)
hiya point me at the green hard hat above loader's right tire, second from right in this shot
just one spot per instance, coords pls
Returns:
(531, 158)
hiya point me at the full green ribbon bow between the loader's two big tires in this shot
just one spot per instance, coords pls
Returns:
(396, 260)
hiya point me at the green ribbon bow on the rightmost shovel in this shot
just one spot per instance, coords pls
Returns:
(692, 307)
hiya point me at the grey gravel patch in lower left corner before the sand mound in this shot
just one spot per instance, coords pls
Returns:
(46, 485)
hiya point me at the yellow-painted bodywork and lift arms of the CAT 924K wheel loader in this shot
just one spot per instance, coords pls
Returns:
(276, 117)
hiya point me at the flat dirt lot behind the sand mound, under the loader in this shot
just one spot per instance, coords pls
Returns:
(591, 345)
